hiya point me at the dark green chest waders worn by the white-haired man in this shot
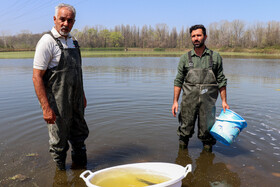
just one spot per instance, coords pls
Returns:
(64, 88)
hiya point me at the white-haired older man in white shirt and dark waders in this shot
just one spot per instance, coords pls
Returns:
(58, 83)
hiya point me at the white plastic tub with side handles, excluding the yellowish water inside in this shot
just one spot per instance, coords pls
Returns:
(173, 171)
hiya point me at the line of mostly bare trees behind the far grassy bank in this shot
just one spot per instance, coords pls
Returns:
(223, 34)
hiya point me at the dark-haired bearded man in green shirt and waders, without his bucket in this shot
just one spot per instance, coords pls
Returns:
(200, 75)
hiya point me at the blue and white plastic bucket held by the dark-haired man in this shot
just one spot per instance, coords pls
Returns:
(227, 127)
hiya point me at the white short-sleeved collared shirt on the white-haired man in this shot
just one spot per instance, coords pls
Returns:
(47, 54)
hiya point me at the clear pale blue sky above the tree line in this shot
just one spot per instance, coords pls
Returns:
(36, 16)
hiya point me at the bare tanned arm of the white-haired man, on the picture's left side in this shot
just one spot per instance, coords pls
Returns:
(48, 113)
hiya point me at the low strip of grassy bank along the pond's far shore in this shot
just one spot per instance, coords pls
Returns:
(137, 52)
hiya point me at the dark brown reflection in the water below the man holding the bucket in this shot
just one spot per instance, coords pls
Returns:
(205, 172)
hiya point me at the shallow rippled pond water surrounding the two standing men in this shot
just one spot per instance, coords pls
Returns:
(130, 120)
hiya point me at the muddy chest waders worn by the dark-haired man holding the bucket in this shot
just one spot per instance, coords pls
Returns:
(200, 92)
